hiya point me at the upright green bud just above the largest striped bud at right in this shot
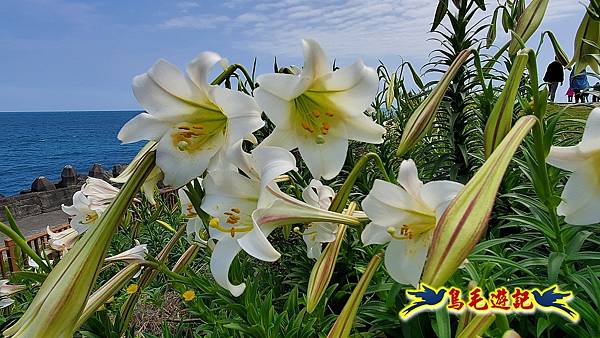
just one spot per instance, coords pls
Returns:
(500, 120)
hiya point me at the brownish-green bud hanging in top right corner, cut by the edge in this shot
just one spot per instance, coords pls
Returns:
(586, 45)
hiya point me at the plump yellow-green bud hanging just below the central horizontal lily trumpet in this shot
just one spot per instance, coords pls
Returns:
(321, 273)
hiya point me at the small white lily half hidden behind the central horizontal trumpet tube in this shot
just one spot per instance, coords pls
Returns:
(318, 195)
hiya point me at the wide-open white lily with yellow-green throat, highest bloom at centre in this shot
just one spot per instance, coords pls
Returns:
(318, 111)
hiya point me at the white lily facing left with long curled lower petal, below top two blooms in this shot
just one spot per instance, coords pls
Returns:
(231, 198)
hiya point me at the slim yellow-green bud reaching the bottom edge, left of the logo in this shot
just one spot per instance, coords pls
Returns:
(343, 324)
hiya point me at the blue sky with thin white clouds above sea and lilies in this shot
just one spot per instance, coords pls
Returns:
(58, 55)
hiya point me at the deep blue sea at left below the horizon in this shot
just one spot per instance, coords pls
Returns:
(36, 144)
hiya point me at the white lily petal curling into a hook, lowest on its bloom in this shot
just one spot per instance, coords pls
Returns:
(220, 261)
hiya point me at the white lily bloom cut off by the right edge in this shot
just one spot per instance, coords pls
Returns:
(581, 195)
